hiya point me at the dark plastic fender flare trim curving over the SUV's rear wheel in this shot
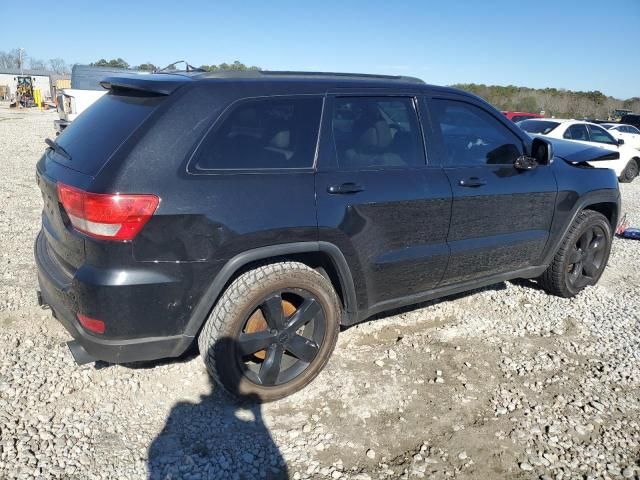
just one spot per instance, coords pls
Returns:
(215, 289)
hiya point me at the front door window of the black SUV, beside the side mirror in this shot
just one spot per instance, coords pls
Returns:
(472, 136)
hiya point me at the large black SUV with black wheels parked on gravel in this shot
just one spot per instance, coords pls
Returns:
(257, 213)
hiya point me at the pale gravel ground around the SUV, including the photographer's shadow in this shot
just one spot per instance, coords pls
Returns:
(502, 382)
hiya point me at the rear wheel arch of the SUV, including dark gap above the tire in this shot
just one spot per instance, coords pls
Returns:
(323, 256)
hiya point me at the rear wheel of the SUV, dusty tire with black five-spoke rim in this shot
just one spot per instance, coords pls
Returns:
(278, 306)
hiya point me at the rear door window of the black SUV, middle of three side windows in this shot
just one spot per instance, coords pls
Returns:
(376, 132)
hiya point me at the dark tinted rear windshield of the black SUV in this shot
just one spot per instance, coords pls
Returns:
(98, 131)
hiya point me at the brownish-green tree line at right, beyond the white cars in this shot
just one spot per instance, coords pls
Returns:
(559, 103)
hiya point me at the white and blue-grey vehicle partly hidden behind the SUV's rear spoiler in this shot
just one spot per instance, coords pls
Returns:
(85, 90)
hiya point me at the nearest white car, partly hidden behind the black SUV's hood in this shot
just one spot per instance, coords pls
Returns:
(626, 167)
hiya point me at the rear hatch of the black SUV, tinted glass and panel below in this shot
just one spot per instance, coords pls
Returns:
(81, 151)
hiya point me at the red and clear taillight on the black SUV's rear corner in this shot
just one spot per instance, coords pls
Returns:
(107, 216)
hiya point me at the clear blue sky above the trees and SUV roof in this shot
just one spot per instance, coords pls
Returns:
(573, 44)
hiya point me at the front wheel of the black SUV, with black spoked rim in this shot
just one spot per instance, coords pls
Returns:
(580, 260)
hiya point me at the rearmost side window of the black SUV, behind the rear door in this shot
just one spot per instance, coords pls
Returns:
(264, 133)
